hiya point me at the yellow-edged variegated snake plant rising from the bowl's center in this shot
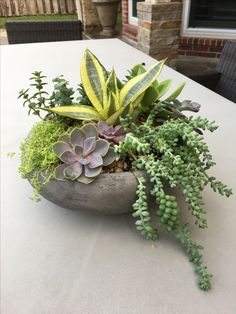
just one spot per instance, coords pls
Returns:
(109, 100)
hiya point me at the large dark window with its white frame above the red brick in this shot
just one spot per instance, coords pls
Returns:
(209, 18)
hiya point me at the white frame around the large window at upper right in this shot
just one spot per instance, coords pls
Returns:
(187, 31)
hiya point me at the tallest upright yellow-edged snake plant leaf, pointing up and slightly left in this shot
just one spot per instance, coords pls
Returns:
(93, 79)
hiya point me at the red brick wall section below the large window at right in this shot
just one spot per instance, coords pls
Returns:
(204, 47)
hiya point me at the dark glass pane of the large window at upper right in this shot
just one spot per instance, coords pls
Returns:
(213, 14)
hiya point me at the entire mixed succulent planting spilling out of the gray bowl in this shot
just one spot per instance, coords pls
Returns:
(117, 126)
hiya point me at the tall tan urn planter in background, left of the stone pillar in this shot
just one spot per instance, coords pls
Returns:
(107, 12)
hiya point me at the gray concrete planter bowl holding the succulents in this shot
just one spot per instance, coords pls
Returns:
(111, 193)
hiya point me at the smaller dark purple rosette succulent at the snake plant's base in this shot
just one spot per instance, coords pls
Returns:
(112, 134)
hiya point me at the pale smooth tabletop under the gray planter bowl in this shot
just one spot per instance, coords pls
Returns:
(56, 261)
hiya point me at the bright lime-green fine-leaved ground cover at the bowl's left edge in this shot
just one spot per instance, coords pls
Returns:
(37, 155)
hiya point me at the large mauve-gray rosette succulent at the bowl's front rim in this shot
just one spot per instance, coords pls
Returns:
(83, 154)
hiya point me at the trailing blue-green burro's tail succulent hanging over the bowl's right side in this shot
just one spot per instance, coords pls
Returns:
(173, 151)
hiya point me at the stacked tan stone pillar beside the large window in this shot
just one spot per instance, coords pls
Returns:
(159, 27)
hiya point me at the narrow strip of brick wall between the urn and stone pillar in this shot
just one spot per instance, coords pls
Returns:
(129, 31)
